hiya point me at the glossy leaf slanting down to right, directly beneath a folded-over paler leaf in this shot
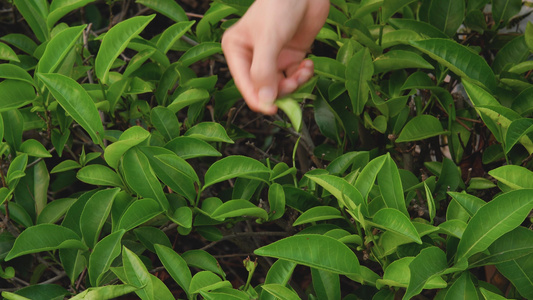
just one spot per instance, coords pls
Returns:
(141, 178)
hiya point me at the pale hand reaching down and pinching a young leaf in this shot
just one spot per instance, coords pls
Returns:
(266, 49)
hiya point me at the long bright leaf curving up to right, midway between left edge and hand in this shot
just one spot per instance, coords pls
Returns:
(115, 41)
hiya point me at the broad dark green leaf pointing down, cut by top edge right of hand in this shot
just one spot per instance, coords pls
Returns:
(447, 15)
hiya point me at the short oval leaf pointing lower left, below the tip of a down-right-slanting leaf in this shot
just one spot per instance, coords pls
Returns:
(139, 212)
